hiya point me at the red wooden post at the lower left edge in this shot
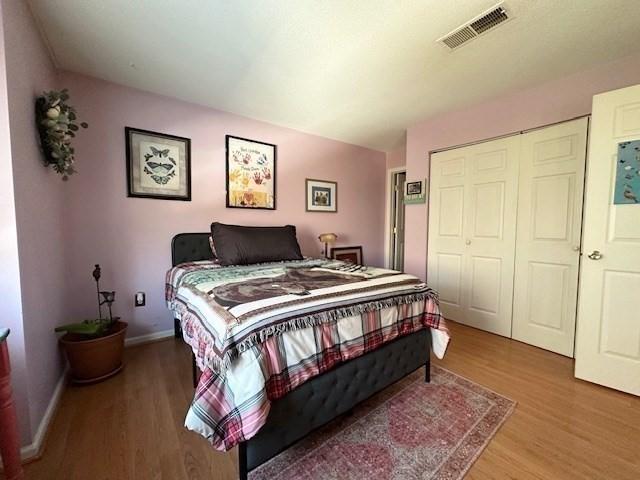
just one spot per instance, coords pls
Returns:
(9, 436)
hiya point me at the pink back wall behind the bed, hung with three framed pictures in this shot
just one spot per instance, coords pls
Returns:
(130, 237)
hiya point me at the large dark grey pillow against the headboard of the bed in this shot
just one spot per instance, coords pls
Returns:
(238, 245)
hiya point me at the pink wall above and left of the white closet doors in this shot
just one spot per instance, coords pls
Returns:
(551, 102)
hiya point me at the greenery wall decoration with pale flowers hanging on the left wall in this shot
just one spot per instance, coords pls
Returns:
(57, 126)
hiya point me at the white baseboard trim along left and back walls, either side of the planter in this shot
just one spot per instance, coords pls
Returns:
(33, 450)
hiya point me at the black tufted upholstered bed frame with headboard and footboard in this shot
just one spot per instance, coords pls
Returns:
(322, 398)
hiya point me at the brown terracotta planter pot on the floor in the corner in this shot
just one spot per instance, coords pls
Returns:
(96, 359)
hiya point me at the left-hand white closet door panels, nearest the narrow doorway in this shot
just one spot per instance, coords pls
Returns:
(472, 223)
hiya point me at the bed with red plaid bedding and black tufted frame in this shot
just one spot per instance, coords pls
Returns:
(310, 393)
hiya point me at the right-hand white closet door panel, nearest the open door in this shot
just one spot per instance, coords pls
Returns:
(552, 163)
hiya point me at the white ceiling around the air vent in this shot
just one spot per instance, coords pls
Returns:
(360, 71)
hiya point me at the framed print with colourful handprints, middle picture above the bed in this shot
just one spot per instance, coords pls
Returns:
(251, 174)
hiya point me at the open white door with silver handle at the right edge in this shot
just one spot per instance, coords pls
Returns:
(608, 326)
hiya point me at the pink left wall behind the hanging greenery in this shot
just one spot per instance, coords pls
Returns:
(39, 197)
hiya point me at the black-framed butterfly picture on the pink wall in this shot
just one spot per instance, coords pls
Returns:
(158, 165)
